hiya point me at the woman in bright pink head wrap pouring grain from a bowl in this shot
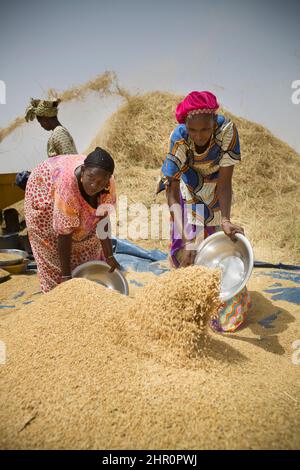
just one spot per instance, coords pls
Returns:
(197, 175)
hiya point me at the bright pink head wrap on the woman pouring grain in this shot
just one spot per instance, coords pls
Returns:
(196, 102)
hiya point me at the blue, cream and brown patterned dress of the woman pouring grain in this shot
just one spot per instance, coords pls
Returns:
(198, 175)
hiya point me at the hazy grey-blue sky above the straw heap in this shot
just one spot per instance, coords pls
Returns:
(248, 53)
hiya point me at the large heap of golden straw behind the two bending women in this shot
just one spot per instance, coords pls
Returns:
(265, 183)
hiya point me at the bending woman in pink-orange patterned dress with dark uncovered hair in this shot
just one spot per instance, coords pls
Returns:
(64, 201)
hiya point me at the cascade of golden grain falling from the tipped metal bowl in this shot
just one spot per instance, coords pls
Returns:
(176, 307)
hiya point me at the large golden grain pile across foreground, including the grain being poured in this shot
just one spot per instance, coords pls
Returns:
(88, 368)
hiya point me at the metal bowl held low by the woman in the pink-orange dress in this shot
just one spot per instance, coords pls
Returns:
(98, 271)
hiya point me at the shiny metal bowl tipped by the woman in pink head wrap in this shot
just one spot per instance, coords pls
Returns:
(235, 259)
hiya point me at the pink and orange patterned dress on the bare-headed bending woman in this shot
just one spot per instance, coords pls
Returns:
(54, 206)
